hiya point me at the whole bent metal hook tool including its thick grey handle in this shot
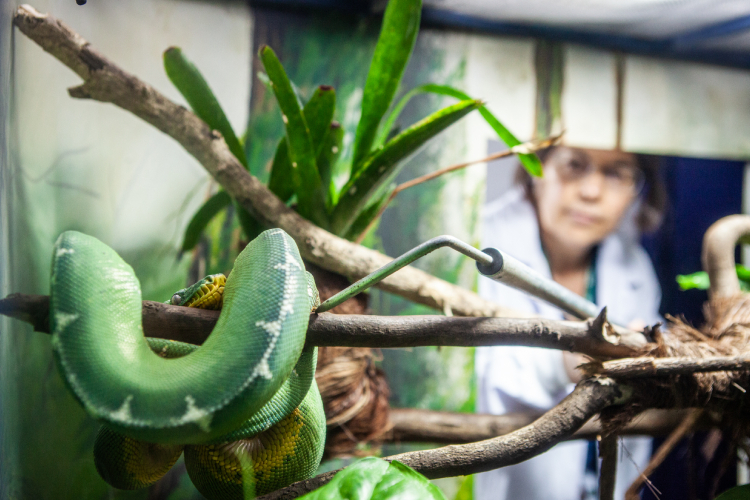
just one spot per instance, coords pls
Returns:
(491, 263)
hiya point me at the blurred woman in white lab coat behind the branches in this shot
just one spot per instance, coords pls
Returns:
(579, 225)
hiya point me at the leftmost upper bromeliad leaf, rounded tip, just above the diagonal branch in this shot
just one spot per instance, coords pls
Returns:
(194, 88)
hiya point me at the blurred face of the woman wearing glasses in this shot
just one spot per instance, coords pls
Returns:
(585, 193)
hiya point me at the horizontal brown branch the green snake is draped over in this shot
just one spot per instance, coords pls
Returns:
(191, 325)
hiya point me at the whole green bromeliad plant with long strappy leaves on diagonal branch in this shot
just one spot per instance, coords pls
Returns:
(303, 167)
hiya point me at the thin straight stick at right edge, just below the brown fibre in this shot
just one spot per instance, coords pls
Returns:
(650, 367)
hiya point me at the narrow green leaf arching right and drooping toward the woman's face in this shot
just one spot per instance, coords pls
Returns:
(530, 162)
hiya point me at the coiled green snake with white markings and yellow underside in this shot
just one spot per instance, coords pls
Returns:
(243, 407)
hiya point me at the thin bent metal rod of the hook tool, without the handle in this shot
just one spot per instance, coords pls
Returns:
(403, 261)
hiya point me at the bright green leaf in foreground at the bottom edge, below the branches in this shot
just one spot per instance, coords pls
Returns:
(375, 479)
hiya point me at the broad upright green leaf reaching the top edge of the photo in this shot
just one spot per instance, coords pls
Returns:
(395, 44)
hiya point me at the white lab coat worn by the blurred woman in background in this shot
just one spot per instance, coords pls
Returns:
(522, 379)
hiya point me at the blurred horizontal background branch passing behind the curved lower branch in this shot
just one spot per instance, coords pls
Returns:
(425, 426)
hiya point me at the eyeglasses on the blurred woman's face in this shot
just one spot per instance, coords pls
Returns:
(573, 166)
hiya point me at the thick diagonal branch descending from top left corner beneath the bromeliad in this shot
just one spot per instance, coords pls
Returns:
(106, 82)
